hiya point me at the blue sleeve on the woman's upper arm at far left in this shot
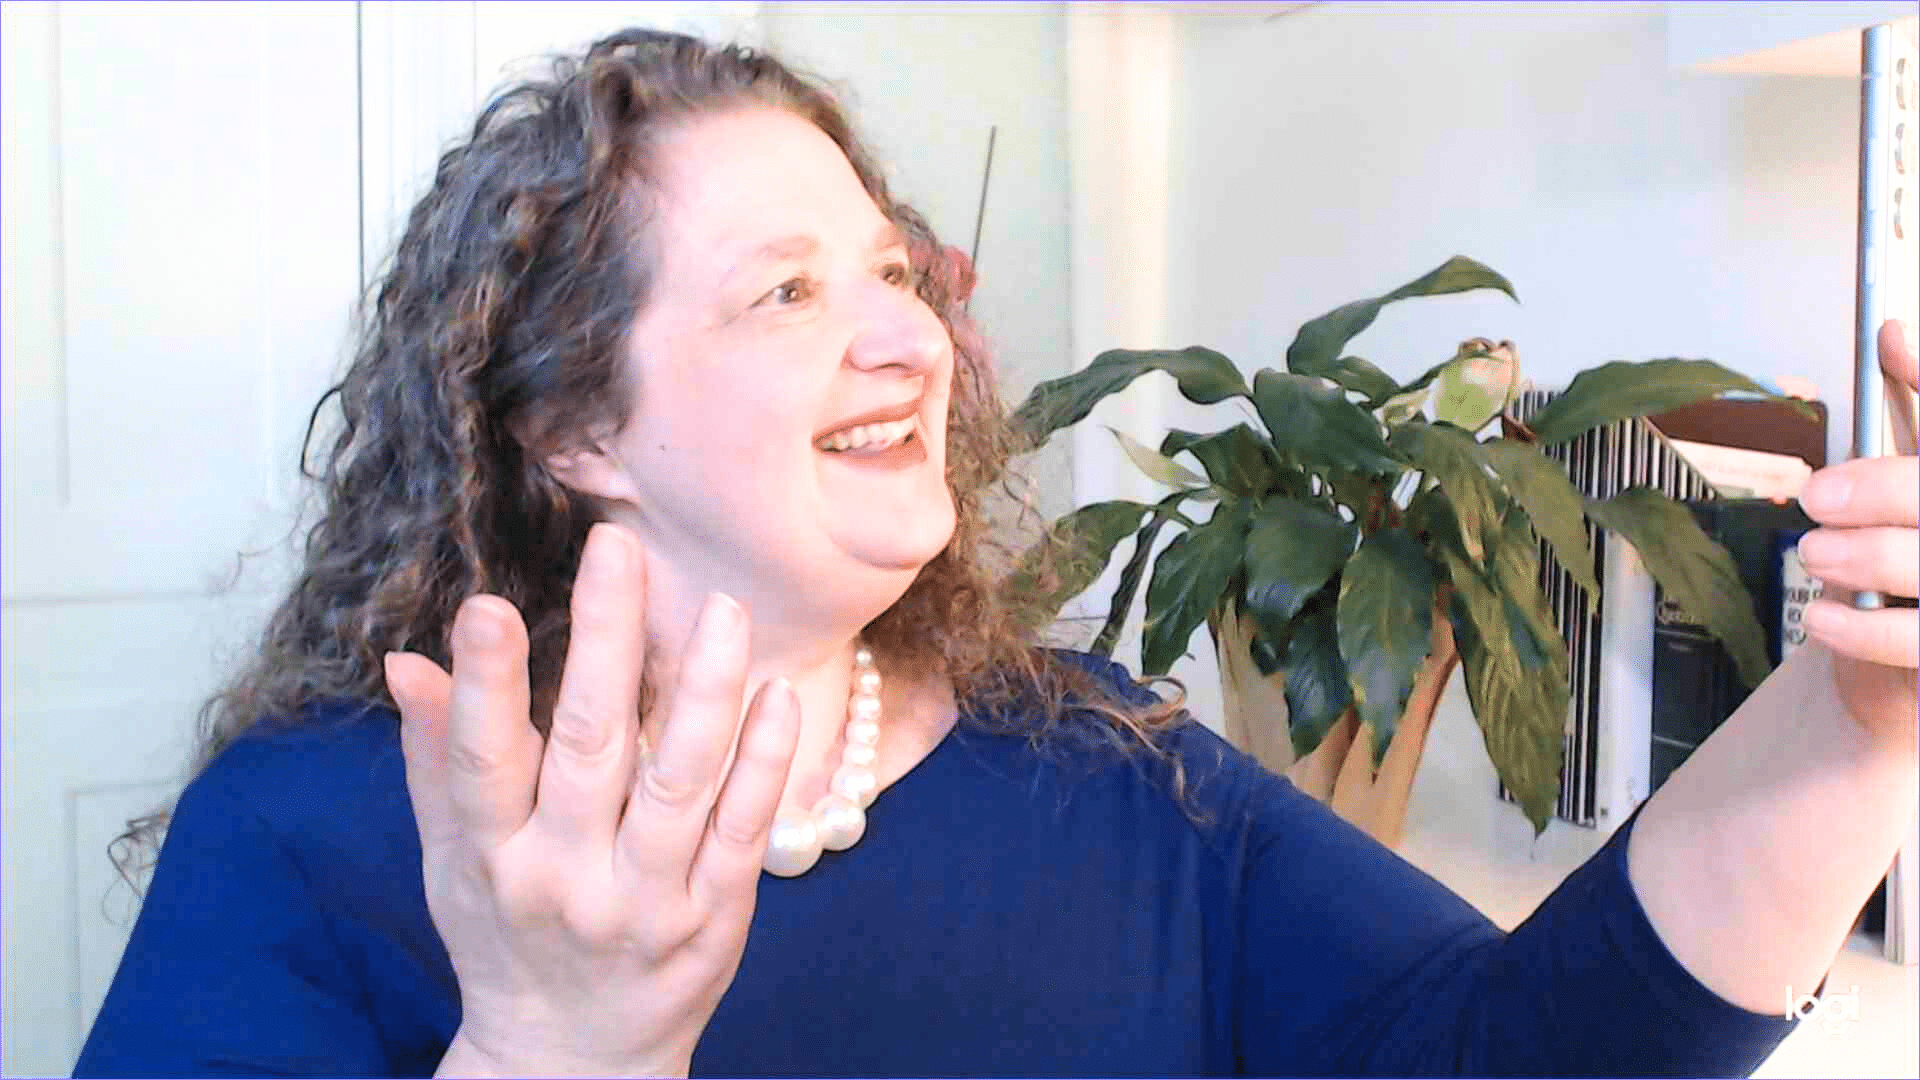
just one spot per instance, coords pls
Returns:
(231, 968)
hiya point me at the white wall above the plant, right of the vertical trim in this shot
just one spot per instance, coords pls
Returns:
(1641, 212)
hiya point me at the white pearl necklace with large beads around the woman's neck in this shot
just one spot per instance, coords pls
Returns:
(840, 818)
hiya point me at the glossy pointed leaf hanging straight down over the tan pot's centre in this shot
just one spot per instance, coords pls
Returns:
(1385, 620)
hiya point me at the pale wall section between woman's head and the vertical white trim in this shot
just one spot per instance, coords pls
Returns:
(924, 86)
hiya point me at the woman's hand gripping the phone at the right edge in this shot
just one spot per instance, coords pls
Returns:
(1869, 541)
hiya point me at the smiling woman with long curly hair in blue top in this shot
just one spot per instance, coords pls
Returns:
(658, 522)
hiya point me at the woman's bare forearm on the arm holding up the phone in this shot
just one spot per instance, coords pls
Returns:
(1756, 858)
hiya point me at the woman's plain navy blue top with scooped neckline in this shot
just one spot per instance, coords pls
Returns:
(1015, 910)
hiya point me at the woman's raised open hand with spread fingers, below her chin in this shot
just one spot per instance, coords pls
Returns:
(594, 900)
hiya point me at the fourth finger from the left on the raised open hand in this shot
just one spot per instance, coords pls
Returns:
(675, 785)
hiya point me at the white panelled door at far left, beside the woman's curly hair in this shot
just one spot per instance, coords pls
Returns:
(181, 237)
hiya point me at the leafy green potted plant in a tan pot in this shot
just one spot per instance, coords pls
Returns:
(1360, 549)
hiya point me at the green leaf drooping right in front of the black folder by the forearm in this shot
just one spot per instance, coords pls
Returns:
(1692, 568)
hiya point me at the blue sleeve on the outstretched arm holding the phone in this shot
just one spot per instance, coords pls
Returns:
(1418, 983)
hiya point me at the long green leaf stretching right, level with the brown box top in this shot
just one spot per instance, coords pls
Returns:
(1620, 391)
